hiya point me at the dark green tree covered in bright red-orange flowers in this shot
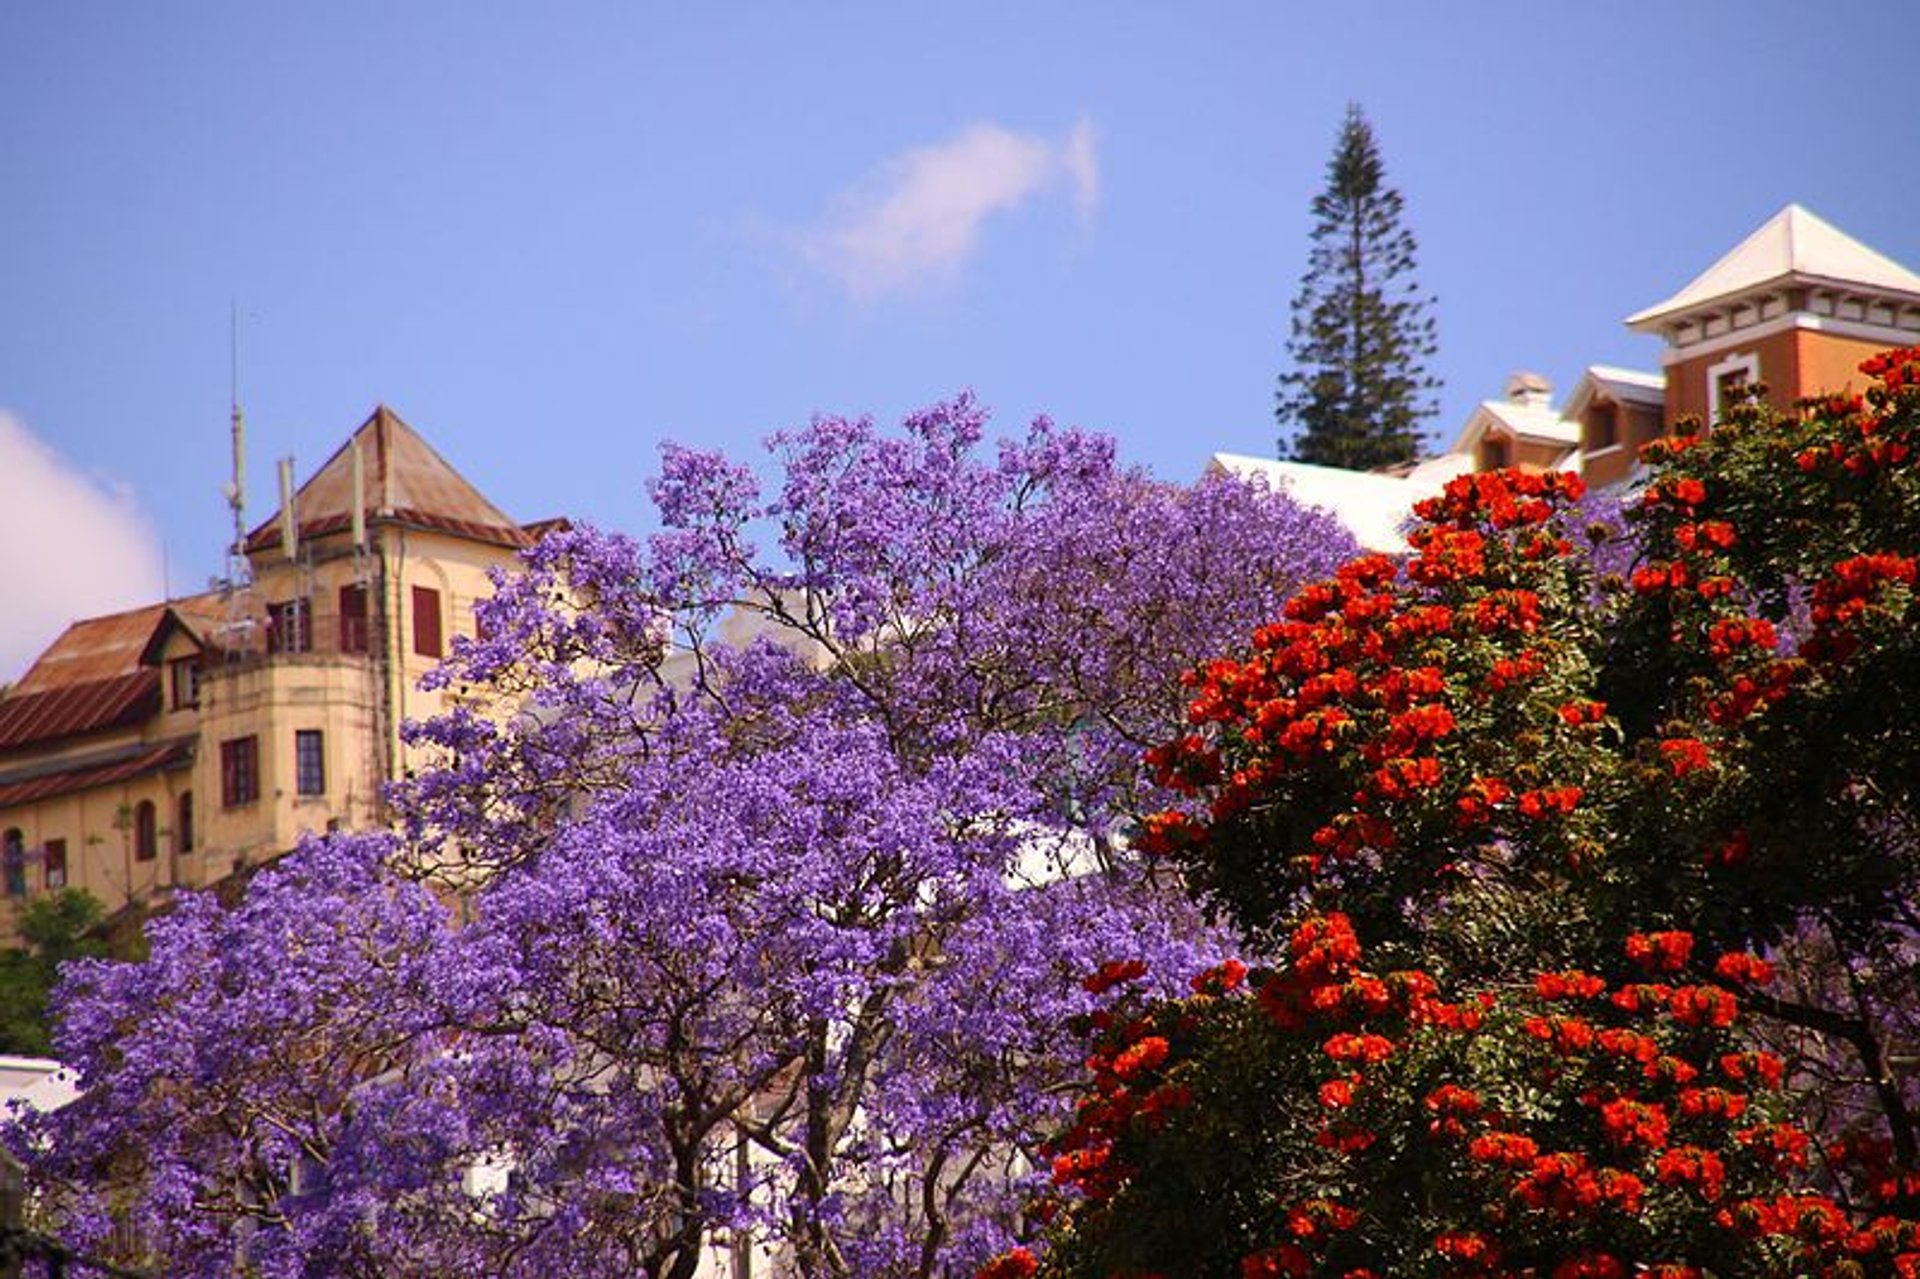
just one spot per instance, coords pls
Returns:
(1583, 904)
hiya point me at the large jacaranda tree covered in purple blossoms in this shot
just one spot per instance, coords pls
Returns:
(740, 905)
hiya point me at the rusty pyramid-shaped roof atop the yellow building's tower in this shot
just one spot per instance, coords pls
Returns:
(406, 483)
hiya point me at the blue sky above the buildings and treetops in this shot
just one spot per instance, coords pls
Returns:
(556, 235)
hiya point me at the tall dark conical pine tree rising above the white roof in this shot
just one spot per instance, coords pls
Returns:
(1358, 387)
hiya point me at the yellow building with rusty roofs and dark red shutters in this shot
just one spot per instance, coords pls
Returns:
(185, 740)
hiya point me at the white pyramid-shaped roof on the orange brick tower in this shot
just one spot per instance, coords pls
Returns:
(1794, 245)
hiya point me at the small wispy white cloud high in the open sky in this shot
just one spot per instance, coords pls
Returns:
(921, 216)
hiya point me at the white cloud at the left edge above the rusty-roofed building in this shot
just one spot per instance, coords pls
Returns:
(72, 548)
